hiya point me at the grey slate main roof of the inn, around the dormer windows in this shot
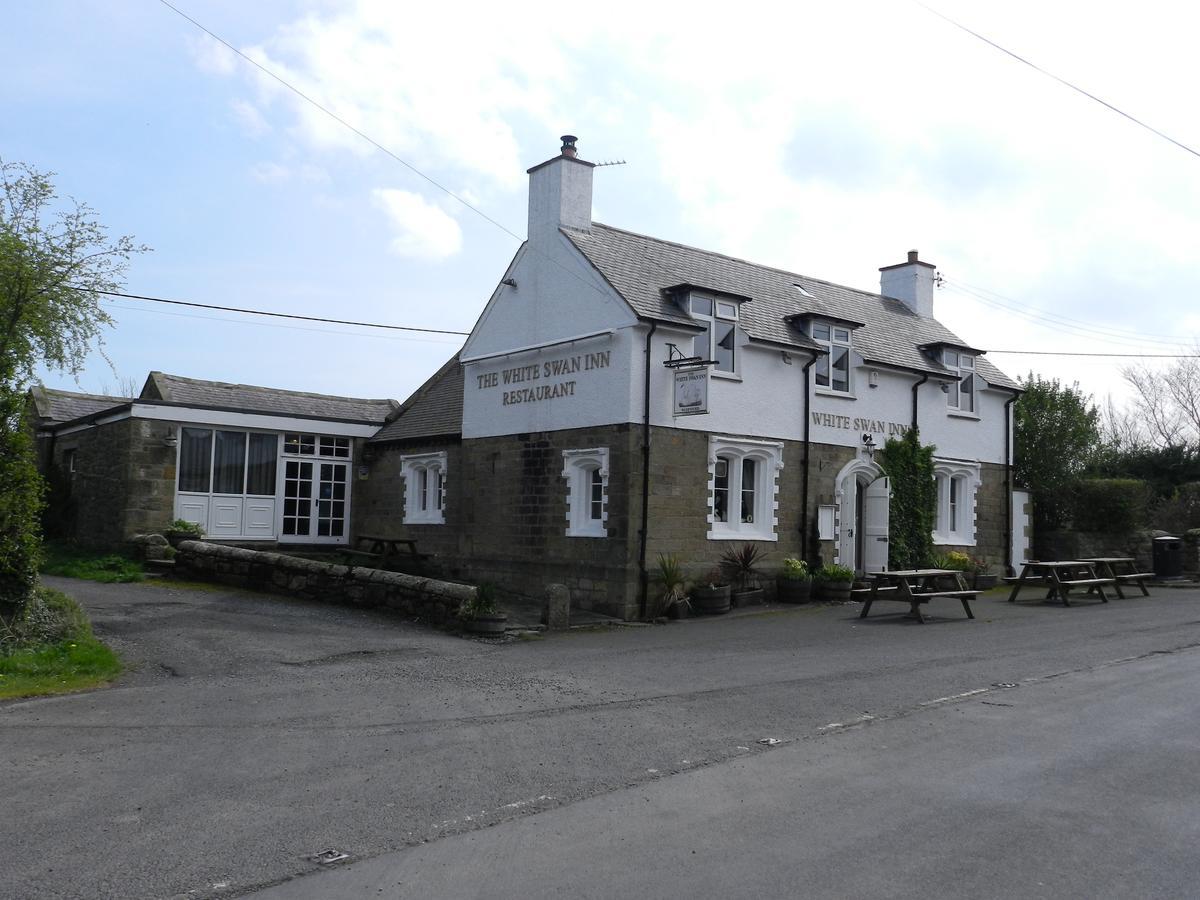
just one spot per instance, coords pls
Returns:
(640, 268)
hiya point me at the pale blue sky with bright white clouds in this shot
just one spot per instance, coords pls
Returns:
(823, 139)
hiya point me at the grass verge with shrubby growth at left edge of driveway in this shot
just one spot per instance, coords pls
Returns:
(51, 650)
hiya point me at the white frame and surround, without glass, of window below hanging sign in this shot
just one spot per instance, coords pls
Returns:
(769, 457)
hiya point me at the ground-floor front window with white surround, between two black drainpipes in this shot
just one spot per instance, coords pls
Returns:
(743, 489)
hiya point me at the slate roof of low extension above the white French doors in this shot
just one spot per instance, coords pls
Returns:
(273, 401)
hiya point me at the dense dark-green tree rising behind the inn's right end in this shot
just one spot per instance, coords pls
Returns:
(1057, 435)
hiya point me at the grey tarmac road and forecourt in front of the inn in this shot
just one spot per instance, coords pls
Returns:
(259, 731)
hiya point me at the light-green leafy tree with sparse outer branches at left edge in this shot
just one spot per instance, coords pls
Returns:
(55, 259)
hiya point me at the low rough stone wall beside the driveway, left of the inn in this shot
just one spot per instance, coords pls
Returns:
(435, 602)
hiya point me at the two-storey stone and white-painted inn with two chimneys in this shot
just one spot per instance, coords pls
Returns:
(623, 397)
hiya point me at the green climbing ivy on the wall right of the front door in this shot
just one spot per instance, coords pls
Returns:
(914, 501)
